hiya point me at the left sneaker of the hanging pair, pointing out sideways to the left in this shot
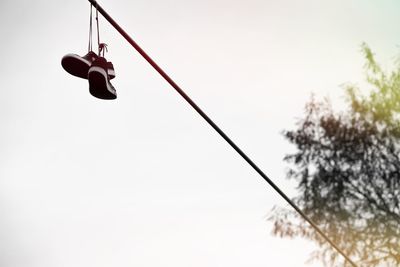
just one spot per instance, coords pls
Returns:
(77, 65)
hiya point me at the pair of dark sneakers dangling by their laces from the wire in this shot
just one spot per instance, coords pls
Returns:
(96, 69)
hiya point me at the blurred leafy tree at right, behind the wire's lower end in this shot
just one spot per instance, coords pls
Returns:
(347, 170)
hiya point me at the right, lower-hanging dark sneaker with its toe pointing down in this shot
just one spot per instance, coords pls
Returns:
(99, 80)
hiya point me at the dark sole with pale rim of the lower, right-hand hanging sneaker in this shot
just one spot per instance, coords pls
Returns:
(98, 84)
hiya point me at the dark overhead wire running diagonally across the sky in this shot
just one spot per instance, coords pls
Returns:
(216, 128)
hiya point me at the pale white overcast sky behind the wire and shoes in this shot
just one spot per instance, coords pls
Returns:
(143, 180)
